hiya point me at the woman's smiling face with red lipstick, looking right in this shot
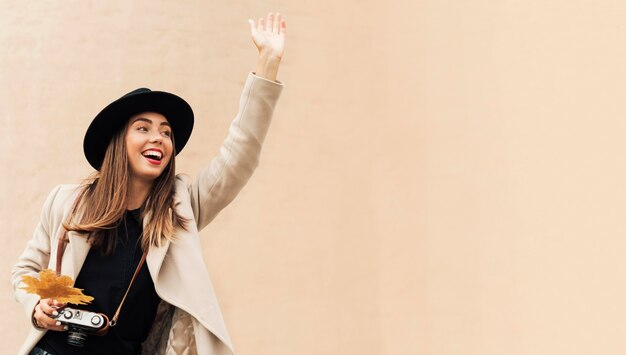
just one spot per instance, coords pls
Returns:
(149, 145)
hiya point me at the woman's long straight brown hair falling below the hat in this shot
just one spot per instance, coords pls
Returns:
(103, 200)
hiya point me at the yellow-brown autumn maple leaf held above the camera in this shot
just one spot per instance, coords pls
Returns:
(60, 288)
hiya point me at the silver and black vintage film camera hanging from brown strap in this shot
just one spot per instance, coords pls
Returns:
(79, 324)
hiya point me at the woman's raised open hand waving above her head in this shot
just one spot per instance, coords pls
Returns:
(269, 35)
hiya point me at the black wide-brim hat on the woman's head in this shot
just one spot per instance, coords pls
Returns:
(113, 117)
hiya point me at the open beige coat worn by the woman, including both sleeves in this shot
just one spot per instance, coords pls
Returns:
(189, 319)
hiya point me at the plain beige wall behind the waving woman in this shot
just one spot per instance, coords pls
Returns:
(441, 177)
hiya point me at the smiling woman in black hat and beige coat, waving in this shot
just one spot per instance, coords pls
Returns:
(136, 207)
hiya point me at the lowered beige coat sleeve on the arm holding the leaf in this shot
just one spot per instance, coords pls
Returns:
(35, 256)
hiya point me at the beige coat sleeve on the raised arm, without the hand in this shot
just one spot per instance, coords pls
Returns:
(218, 184)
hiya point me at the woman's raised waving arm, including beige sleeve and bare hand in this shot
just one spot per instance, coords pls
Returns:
(218, 184)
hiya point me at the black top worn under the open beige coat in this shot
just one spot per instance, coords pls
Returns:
(106, 278)
